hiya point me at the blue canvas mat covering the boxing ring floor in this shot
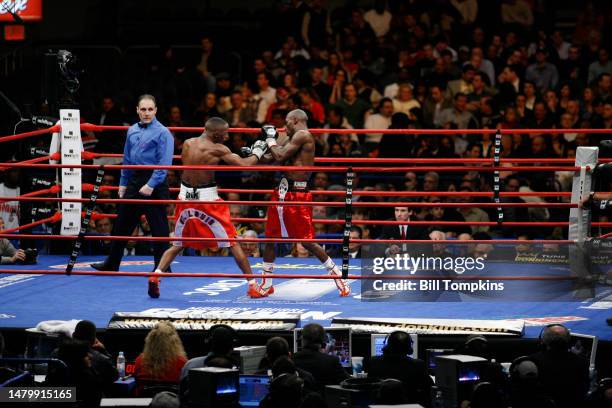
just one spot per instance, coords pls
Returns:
(26, 300)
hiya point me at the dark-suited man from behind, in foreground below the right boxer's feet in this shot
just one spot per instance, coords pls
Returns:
(325, 369)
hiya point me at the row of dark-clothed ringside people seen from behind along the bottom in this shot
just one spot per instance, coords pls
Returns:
(556, 376)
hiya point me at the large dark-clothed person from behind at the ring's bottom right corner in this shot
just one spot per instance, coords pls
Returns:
(563, 374)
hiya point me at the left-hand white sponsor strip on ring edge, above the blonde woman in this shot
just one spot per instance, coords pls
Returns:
(205, 318)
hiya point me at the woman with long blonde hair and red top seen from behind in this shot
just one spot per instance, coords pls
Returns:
(163, 357)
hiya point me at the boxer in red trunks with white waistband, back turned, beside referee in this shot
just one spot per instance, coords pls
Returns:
(207, 220)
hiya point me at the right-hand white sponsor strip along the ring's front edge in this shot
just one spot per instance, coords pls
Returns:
(431, 326)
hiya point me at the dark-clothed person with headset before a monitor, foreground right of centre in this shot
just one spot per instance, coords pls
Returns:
(396, 363)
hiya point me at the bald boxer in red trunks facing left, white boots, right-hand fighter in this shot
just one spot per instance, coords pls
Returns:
(294, 221)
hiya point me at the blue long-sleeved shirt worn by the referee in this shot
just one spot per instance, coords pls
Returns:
(148, 144)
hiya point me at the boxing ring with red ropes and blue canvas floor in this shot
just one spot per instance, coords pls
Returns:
(49, 291)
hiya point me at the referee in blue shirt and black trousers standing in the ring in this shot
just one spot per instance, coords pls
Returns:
(148, 143)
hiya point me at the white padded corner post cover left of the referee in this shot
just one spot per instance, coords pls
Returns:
(71, 147)
